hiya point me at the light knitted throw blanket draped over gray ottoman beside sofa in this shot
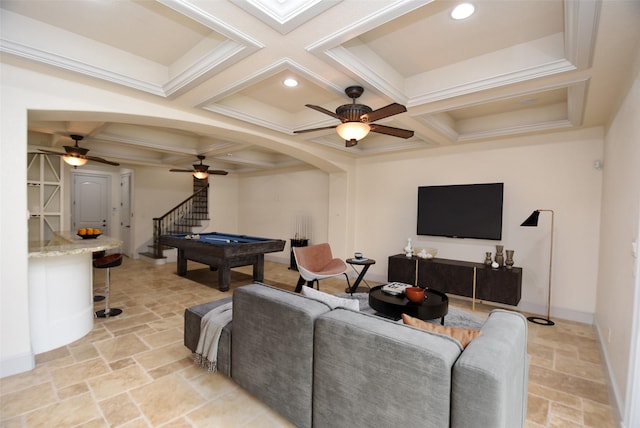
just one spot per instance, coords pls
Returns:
(211, 326)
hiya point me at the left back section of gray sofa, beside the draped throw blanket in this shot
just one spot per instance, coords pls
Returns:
(272, 345)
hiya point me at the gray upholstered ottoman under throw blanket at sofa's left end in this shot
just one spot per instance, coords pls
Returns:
(192, 319)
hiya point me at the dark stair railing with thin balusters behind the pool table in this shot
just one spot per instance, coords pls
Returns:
(180, 219)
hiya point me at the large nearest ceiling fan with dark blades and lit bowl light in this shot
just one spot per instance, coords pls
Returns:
(357, 119)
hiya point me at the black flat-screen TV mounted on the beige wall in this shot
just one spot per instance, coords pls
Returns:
(461, 211)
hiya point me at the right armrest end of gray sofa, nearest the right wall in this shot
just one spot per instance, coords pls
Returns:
(490, 378)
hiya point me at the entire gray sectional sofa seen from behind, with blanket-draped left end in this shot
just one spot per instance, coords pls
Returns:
(323, 367)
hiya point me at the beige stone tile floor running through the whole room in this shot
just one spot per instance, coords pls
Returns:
(133, 370)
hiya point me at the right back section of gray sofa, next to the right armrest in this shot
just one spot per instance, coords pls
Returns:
(371, 371)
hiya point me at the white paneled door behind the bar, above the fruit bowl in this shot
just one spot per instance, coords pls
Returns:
(91, 201)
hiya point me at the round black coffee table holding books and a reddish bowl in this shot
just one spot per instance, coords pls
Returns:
(435, 304)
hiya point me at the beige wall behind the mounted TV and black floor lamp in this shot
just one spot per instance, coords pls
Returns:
(545, 172)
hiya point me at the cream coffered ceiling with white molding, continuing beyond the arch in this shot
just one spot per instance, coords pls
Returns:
(513, 68)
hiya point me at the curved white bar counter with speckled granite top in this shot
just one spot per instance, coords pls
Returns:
(61, 288)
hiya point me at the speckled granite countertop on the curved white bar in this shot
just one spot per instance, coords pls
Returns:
(68, 243)
